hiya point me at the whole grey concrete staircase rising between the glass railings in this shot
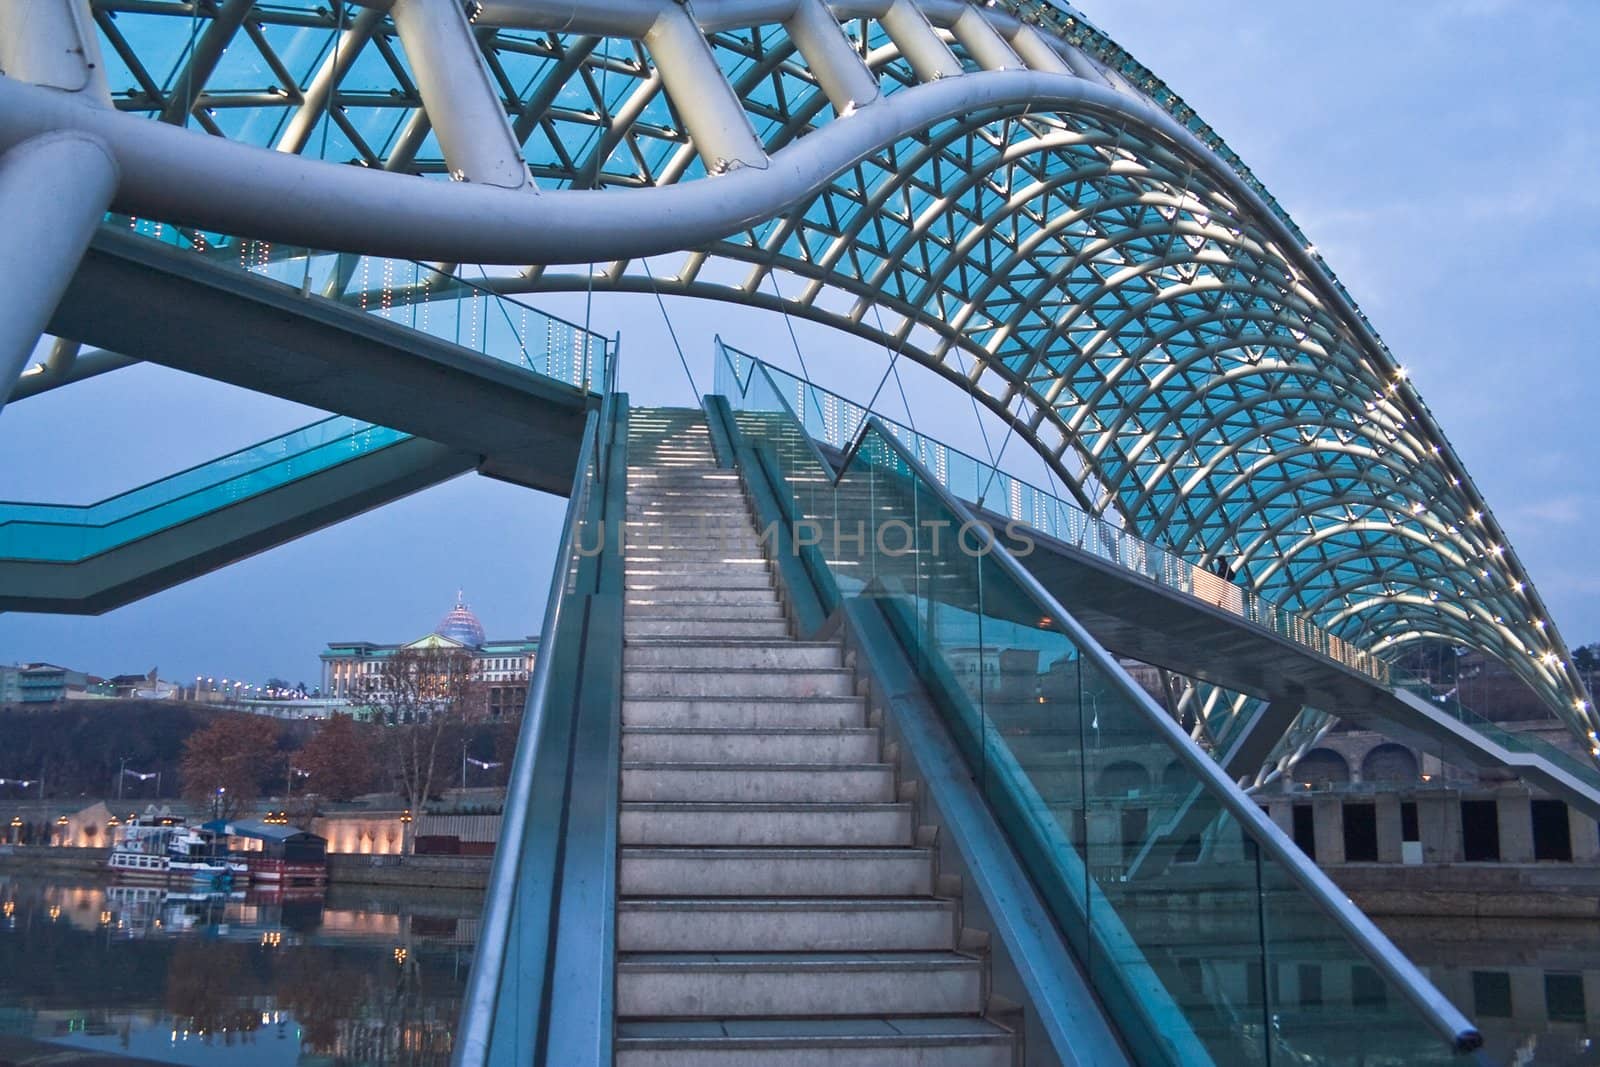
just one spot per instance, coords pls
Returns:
(775, 906)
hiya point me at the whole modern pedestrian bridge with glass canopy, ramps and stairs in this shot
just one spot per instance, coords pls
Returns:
(785, 793)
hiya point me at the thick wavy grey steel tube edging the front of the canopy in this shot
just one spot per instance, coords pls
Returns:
(190, 178)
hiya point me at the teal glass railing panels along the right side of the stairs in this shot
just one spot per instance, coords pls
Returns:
(1207, 933)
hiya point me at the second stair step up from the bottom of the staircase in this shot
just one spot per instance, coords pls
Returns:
(815, 985)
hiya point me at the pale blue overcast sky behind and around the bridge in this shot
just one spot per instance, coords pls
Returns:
(1444, 156)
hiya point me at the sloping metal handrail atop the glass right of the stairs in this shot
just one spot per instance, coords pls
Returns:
(1442, 1015)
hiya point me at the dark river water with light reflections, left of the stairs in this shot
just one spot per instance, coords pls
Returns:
(361, 977)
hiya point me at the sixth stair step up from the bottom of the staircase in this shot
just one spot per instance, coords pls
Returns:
(761, 783)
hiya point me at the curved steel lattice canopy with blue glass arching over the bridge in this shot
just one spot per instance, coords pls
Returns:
(999, 193)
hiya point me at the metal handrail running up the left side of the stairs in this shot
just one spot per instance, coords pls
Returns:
(484, 983)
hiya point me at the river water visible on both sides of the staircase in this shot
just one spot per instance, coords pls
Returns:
(94, 975)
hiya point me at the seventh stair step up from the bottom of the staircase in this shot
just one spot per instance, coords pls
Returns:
(654, 745)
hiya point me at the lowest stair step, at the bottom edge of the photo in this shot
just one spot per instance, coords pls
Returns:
(852, 1042)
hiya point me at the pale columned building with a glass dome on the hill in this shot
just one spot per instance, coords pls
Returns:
(353, 671)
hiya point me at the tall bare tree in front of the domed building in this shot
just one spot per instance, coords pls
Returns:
(425, 697)
